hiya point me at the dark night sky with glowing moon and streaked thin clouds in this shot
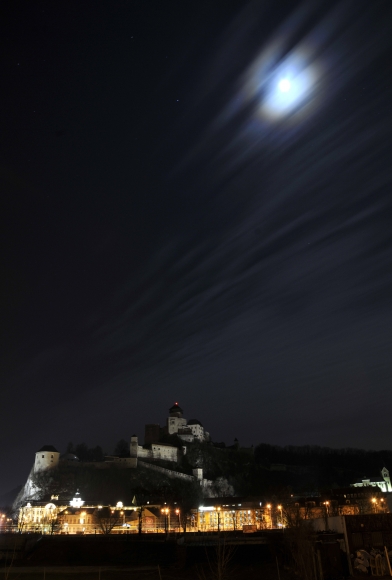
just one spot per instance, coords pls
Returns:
(178, 225)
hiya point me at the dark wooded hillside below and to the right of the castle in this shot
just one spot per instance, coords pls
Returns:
(269, 471)
